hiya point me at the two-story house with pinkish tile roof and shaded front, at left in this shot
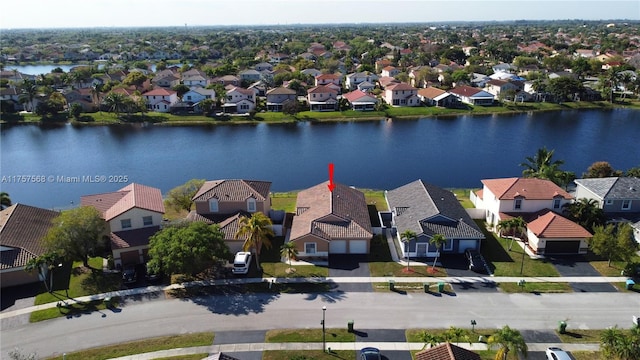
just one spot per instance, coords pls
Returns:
(133, 214)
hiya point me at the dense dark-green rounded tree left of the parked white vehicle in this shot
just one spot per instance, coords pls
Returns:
(187, 248)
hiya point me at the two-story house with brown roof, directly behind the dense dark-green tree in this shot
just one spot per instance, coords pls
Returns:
(224, 202)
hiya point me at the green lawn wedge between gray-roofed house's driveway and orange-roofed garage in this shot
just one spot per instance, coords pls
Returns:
(508, 263)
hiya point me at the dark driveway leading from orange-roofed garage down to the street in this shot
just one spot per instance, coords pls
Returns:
(577, 265)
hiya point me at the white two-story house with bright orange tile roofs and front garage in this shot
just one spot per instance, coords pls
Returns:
(539, 203)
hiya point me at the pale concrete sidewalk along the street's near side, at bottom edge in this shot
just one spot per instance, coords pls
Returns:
(334, 346)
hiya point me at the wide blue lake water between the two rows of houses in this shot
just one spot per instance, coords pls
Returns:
(449, 152)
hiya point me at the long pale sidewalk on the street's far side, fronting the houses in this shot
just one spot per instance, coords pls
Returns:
(337, 280)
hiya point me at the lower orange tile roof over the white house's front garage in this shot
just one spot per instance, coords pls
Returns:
(550, 225)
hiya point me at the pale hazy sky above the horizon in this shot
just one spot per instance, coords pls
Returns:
(119, 13)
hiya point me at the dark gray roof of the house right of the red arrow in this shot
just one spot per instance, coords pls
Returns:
(428, 209)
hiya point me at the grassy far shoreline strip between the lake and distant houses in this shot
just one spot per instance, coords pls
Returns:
(402, 113)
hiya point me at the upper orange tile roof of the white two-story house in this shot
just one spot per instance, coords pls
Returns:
(528, 188)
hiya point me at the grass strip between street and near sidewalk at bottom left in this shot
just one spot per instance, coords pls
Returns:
(143, 346)
